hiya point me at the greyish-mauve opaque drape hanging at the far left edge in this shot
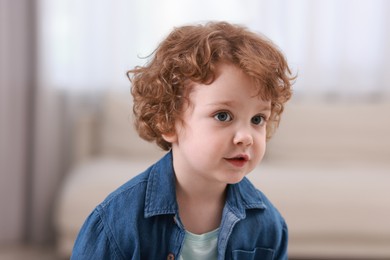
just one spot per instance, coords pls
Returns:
(16, 116)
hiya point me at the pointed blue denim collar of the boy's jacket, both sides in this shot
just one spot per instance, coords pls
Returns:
(161, 193)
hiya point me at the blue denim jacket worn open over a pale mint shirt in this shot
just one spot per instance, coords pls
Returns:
(140, 220)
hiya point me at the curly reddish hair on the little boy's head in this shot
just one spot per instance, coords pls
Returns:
(191, 54)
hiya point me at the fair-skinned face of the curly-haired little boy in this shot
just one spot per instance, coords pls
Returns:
(223, 134)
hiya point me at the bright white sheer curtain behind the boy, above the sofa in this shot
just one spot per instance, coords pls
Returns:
(338, 47)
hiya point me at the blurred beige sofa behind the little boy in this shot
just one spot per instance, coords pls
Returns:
(327, 169)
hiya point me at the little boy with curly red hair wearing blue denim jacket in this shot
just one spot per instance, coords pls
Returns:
(211, 96)
